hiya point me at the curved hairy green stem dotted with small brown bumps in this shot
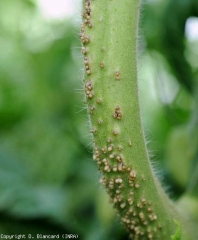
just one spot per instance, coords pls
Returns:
(109, 37)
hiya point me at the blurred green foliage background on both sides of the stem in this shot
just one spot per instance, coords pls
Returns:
(48, 181)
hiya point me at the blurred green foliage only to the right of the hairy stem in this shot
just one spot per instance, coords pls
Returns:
(171, 55)
